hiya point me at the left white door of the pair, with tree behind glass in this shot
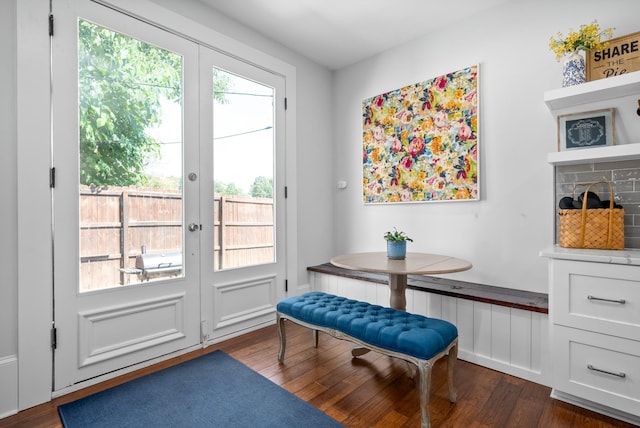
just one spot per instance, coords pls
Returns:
(126, 227)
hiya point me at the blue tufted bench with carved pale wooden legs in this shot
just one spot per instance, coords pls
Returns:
(413, 338)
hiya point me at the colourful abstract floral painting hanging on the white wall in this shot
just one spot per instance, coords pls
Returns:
(420, 142)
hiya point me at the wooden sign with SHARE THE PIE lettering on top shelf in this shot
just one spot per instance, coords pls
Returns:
(620, 57)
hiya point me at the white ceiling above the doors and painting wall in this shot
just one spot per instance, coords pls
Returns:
(338, 33)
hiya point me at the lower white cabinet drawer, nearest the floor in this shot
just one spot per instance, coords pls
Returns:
(597, 367)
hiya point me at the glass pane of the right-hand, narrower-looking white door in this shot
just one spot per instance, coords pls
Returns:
(243, 171)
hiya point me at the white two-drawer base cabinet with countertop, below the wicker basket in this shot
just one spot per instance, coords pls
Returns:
(595, 330)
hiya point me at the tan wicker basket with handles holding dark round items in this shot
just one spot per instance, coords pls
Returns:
(600, 228)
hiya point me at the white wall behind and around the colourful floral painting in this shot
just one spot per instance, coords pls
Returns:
(502, 233)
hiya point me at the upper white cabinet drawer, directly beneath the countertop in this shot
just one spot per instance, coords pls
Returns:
(598, 297)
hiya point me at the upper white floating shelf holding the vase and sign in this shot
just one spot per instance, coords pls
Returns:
(596, 90)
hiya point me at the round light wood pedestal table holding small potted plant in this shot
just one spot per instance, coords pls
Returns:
(413, 264)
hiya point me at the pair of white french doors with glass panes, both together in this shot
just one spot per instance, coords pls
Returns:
(147, 259)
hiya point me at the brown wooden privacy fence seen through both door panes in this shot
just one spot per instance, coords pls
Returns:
(118, 224)
